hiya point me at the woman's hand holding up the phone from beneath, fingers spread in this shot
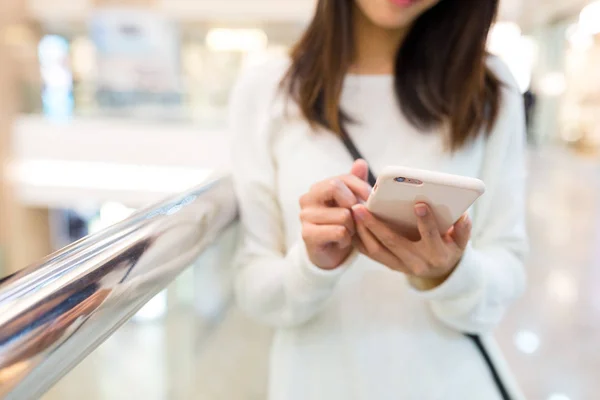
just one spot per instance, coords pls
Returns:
(427, 262)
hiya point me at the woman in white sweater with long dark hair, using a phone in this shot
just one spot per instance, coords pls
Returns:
(359, 313)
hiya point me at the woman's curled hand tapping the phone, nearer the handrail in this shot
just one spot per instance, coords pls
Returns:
(326, 216)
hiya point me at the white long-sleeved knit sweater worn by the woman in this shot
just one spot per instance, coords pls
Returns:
(361, 331)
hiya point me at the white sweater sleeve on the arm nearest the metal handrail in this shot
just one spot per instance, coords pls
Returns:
(274, 284)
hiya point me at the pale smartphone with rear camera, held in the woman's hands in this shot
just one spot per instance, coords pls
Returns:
(398, 189)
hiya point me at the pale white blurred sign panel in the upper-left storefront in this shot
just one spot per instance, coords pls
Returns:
(138, 59)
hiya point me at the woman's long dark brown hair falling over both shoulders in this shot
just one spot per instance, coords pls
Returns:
(441, 77)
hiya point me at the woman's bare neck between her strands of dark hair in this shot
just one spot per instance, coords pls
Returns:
(375, 47)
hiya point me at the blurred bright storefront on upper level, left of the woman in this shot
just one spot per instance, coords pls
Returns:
(180, 71)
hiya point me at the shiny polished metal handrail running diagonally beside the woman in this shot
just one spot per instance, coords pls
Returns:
(53, 314)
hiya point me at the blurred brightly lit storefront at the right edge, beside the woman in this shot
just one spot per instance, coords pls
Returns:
(567, 81)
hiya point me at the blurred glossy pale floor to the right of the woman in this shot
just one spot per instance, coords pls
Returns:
(552, 336)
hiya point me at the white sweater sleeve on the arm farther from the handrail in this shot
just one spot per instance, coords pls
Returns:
(491, 273)
